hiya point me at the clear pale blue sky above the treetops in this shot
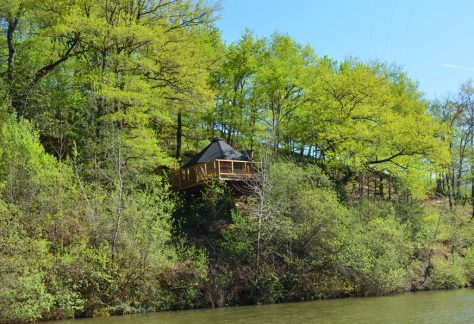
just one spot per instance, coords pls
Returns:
(433, 41)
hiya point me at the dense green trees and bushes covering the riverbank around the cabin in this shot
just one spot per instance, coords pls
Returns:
(363, 188)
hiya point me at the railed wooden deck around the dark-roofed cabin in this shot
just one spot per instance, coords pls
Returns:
(221, 169)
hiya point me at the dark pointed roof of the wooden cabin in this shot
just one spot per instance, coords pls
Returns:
(218, 149)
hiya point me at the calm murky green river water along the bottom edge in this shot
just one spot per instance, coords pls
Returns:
(450, 306)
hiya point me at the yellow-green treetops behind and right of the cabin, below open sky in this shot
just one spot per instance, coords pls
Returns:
(365, 118)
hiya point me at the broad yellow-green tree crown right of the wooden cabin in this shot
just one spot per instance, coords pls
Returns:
(372, 119)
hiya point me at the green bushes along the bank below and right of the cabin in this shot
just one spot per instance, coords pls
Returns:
(316, 246)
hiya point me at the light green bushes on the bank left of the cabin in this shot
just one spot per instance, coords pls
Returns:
(66, 253)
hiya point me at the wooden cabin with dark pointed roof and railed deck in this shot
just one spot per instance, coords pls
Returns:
(218, 160)
